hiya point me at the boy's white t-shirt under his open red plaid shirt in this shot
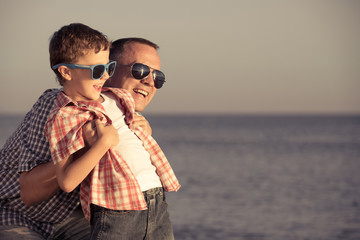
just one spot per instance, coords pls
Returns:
(130, 146)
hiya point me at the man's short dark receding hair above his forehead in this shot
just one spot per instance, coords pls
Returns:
(117, 47)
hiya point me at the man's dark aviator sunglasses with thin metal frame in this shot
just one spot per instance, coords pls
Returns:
(141, 71)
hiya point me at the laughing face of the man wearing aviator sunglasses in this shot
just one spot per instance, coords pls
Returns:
(141, 90)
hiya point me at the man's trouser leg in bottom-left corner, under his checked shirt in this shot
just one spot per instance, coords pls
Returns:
(17, 232)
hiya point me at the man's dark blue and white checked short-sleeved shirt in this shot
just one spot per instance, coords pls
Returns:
(24, 150)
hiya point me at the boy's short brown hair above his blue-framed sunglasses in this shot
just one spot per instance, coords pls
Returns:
(73, 41)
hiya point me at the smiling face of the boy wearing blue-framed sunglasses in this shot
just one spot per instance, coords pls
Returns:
(80, 86)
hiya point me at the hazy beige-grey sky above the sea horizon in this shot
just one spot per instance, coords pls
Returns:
(219, 57)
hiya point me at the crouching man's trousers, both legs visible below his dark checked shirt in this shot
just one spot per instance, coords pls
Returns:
(75, 227)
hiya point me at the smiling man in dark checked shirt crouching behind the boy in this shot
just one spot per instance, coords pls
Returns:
(28, 185)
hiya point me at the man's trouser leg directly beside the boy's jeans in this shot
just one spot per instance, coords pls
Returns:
(75, 227)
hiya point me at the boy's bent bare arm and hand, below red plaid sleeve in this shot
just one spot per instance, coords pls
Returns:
(70, 173)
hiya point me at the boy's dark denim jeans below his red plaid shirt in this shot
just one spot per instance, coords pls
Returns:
(151, 224)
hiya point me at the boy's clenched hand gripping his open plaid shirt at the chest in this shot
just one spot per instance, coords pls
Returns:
(106, 133)
